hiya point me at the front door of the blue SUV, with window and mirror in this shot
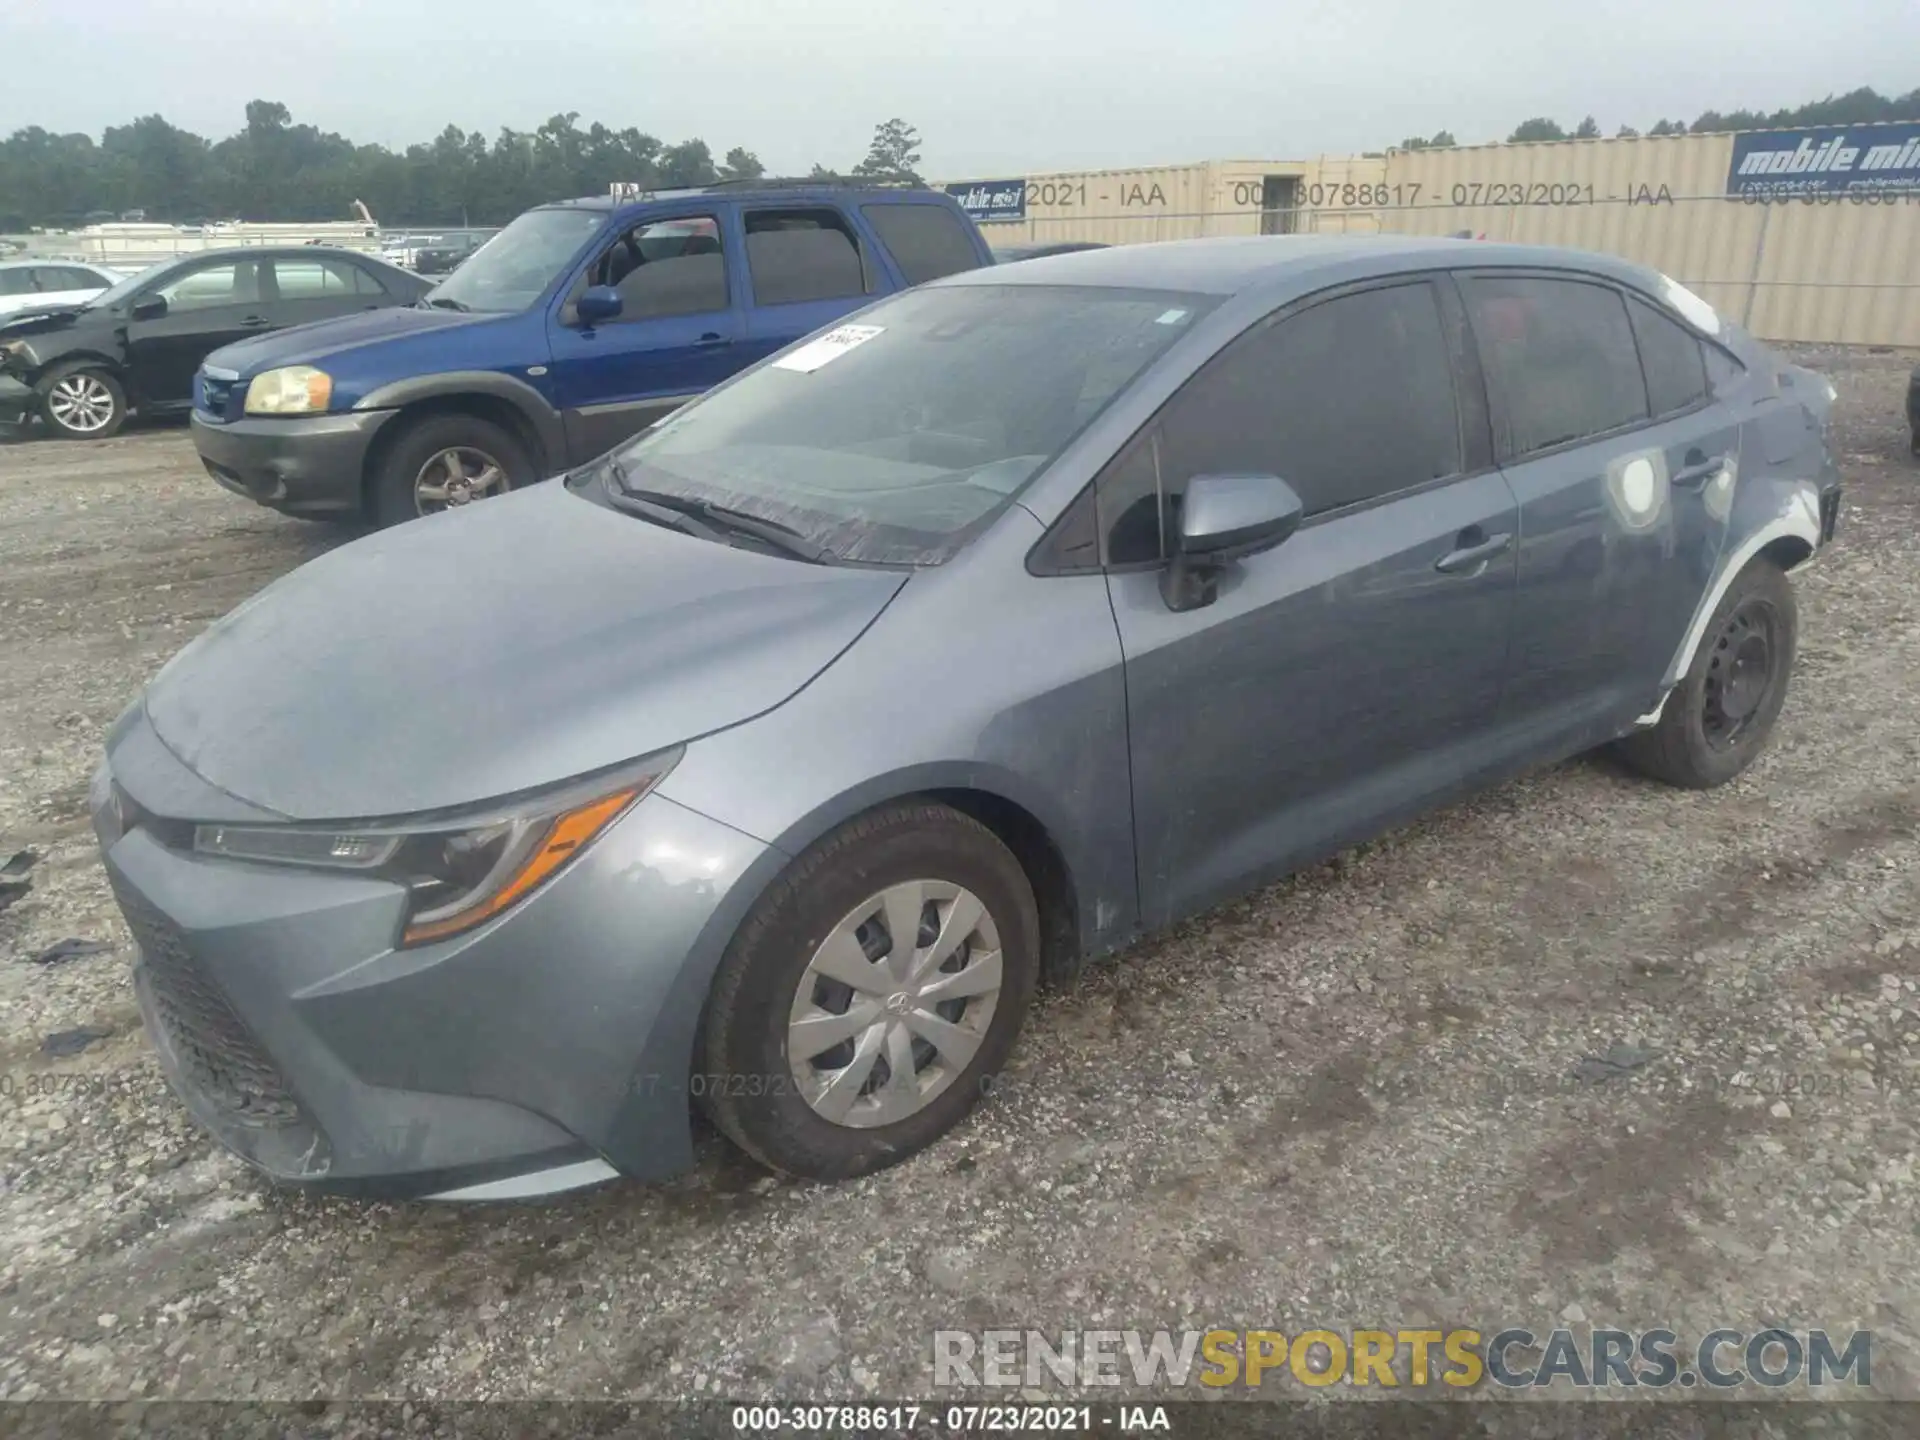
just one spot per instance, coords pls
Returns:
(677, 335)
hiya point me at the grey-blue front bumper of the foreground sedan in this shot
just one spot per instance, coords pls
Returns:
(542, 1051)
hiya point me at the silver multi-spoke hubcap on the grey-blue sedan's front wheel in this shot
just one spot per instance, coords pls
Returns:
(896, 1003)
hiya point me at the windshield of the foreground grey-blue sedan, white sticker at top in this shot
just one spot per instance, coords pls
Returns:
(898, 437)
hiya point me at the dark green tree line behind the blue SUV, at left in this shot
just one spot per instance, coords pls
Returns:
(276, 170)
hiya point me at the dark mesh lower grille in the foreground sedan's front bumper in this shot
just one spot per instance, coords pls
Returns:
(210, 1044)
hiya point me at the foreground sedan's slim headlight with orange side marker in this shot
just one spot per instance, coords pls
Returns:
(460, 871)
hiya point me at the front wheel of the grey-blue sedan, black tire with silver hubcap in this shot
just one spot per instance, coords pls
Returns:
(836, 1044)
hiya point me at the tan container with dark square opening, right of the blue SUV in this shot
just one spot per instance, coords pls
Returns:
(1182, 203)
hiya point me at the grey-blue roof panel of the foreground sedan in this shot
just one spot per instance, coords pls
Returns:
(1232, 266)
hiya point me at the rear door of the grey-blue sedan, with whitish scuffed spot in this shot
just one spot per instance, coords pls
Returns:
(1616, 452)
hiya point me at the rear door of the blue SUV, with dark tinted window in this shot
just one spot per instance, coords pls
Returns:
(807, 266)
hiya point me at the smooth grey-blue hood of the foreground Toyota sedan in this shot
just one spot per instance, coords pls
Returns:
(496, 650)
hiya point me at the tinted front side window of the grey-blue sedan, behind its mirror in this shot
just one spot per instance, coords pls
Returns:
(1347, 402)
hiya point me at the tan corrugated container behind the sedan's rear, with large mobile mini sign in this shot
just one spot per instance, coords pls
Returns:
(1821, 270)
